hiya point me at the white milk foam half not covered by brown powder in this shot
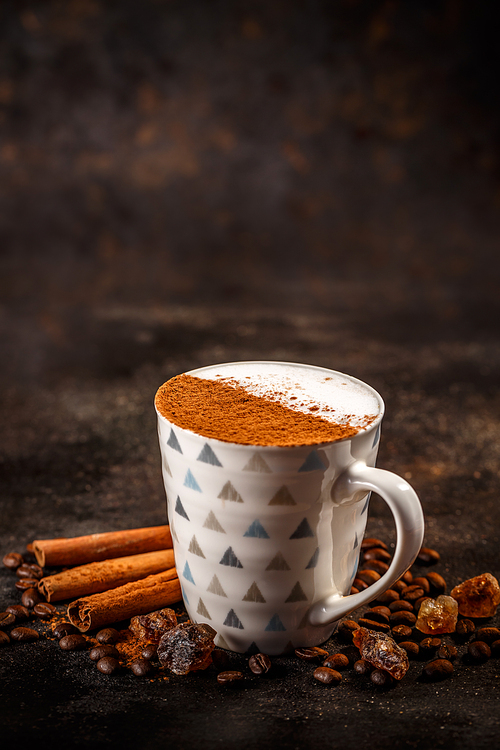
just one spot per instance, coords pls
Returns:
(333, 396)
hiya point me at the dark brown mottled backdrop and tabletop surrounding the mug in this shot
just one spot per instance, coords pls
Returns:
(189, 182)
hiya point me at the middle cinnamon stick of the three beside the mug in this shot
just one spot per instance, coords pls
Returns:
(102, 576)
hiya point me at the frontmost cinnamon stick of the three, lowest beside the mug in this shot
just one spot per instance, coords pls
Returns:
(137, 598)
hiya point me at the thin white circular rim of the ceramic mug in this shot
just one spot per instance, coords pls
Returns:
(363, 431)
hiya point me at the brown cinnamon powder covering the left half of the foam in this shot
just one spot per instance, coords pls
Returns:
(226, 411)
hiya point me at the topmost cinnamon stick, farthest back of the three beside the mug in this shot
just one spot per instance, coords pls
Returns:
(94, 547)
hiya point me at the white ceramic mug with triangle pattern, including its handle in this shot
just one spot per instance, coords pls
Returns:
(267, 538)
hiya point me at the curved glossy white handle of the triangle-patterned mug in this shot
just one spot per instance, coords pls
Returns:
(405, 506)
